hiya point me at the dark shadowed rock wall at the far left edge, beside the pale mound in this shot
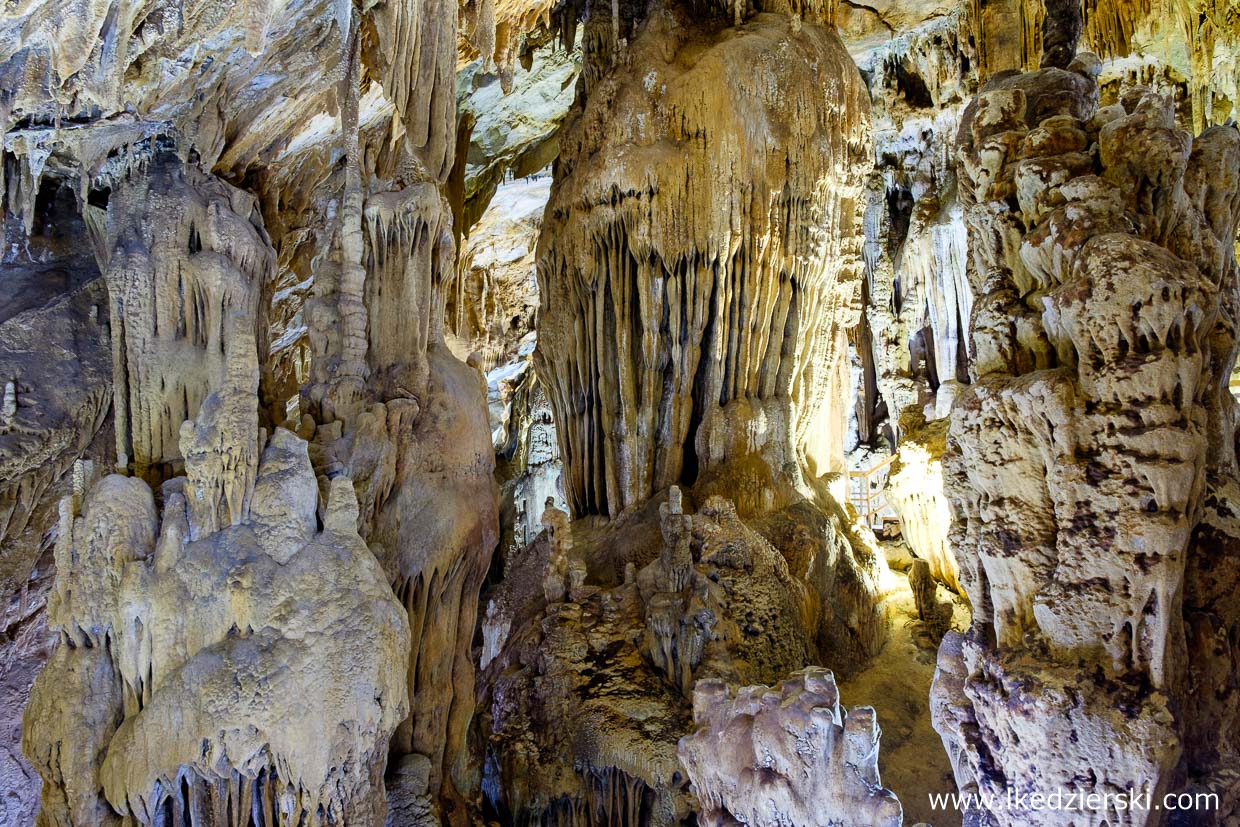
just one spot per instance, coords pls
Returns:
(56, 405)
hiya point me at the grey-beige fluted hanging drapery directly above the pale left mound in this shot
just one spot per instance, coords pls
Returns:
(188, 261)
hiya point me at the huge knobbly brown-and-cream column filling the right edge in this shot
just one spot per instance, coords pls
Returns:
(1089, 461)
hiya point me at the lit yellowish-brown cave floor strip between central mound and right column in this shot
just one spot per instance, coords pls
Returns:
(897, 684)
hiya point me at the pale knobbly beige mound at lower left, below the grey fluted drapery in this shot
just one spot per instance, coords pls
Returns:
(188, 655)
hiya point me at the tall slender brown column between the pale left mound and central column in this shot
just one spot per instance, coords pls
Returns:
(390, 407)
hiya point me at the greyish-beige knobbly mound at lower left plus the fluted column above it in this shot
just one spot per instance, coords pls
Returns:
(219, 640)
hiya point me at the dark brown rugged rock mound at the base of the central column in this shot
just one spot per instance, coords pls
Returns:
(588, 697)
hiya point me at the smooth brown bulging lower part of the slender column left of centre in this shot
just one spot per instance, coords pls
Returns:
(422, 472)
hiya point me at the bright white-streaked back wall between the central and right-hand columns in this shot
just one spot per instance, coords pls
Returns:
(917, 294)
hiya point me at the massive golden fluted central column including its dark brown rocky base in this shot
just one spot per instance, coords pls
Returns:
(696, 280)
